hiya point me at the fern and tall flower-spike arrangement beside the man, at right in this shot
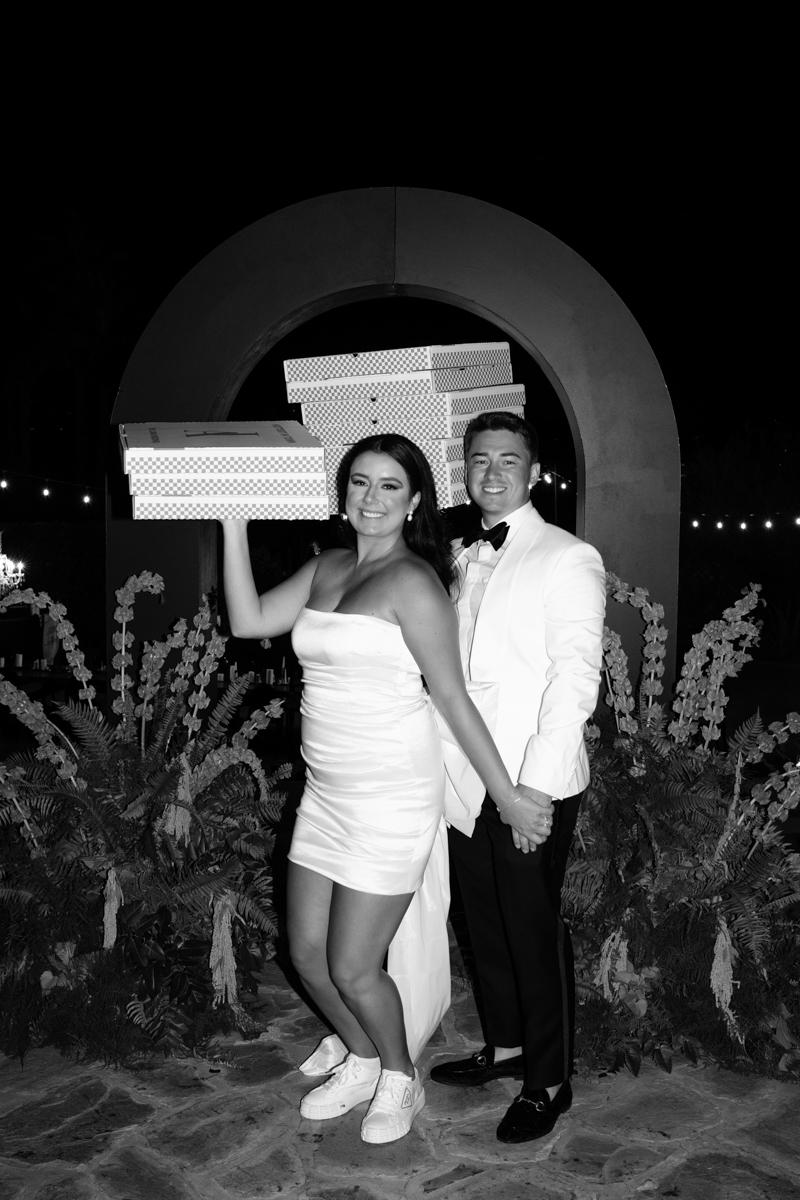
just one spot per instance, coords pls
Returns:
(682, 887)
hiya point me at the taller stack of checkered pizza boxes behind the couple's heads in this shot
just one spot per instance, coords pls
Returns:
(428, 393)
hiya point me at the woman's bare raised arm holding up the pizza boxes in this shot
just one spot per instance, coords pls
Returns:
(275, 611)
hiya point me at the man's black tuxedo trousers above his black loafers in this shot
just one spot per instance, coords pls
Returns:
(522, 946)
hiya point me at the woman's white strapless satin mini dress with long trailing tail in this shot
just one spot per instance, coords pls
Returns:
(371, 815)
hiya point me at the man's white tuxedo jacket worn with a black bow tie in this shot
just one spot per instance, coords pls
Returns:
(539, 637)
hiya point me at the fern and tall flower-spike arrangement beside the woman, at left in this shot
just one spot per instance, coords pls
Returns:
(136, 865)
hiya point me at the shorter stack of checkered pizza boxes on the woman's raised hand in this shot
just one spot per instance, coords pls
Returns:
(190, 471)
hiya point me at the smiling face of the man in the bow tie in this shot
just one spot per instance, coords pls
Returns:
(500, 473)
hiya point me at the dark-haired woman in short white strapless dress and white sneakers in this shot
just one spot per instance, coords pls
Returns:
(366, 625)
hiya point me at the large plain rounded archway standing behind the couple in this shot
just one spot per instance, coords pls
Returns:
(334, 250)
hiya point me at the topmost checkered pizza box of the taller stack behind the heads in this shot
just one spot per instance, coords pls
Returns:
(417, 358)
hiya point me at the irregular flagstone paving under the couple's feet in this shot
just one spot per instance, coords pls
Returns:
(203, 1131)
